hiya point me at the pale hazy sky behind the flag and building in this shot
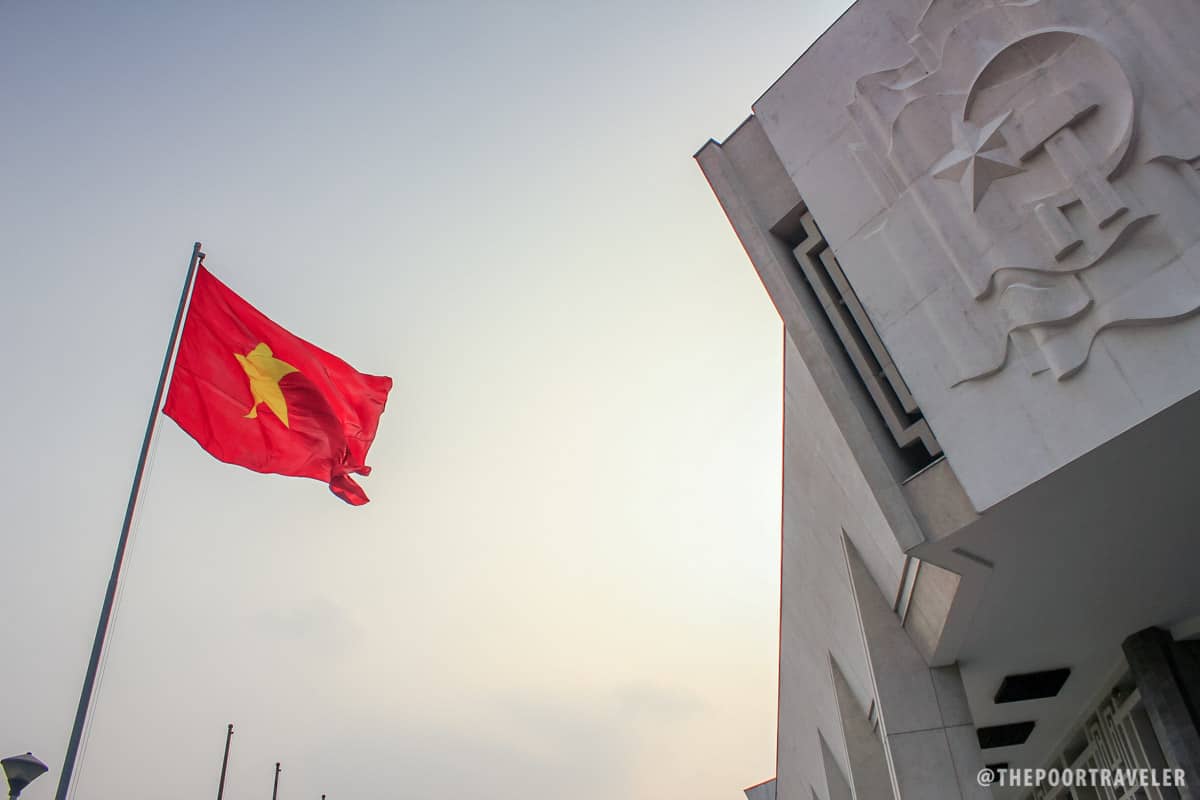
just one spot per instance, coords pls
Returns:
(567, 584)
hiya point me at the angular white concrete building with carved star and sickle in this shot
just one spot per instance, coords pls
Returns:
(980, 221)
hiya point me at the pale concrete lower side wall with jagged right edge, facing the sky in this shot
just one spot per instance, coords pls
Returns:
(825, 495)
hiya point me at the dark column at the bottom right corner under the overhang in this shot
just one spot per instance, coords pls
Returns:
(1165, 672)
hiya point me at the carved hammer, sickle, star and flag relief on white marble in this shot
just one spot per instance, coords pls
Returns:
(1053, 147)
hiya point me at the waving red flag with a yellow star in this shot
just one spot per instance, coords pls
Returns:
(255, 395)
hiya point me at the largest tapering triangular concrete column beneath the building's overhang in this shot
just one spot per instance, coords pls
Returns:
(929, 737)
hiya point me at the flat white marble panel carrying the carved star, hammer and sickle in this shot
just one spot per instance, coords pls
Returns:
(1012, 190)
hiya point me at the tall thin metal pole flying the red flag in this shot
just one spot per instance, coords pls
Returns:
(106, 611)
